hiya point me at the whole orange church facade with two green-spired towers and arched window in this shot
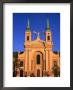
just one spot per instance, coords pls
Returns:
(38, 58)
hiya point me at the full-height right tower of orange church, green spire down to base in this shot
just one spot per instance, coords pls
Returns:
(48, 47)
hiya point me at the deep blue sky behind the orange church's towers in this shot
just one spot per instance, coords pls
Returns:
(38, 24)
